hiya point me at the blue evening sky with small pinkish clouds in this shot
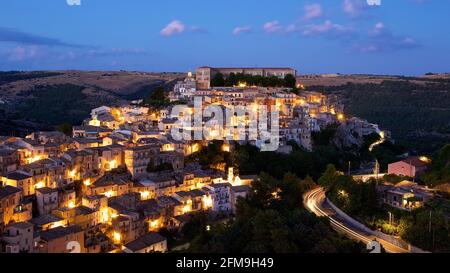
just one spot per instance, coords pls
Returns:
(314, 36)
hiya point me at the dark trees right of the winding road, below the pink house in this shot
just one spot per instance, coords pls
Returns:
(427, 227)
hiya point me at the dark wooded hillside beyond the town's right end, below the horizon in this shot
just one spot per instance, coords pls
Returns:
(417, 113)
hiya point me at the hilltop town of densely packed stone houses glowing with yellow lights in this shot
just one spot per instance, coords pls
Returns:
(120, 177)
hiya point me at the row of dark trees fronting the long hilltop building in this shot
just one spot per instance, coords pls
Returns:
(235, 79)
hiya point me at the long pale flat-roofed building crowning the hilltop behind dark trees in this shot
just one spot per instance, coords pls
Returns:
(204, 74)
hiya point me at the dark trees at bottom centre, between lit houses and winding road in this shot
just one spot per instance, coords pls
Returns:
(271, 220)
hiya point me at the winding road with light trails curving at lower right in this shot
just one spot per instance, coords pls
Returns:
(316, 202)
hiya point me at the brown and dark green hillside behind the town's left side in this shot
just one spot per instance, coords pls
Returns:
(40, 100)
